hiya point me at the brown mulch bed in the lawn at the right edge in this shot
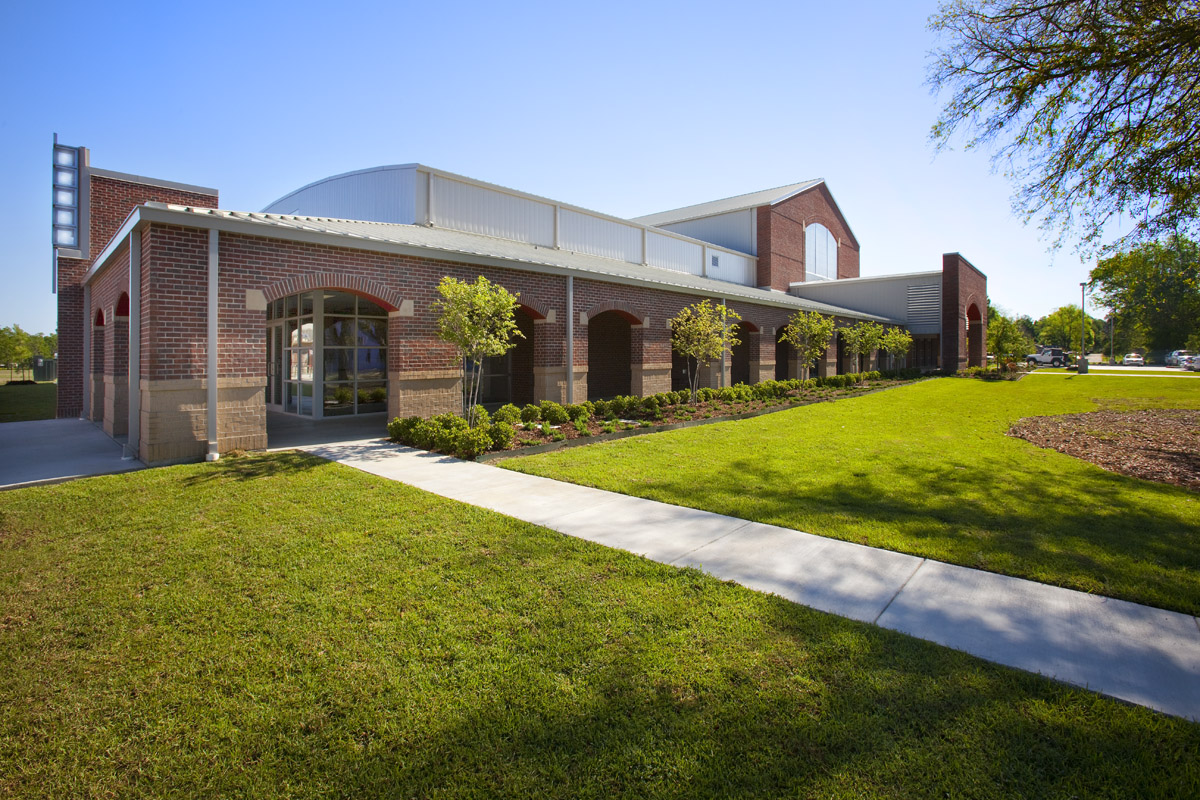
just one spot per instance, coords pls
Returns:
(1157, 446)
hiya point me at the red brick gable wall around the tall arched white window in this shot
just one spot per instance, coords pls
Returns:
(782, 238)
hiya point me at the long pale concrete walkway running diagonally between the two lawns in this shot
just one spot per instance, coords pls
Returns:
(1135, 653)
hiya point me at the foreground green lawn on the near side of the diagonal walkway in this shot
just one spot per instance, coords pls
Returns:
(278, 627)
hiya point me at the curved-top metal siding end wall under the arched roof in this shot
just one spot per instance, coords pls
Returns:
(375, 196)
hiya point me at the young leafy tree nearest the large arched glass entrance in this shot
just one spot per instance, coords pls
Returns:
(479, 320)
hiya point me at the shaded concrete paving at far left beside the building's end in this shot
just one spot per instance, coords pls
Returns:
(52, 452)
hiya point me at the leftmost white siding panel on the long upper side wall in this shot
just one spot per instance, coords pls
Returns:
(478, 210)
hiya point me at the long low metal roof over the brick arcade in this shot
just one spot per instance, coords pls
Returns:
(454, 245)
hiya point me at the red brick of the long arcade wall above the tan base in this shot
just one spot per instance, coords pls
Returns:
(175, 290)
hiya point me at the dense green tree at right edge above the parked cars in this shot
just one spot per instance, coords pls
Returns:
(1157, 287)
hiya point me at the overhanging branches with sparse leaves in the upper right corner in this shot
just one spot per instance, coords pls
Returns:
(1090, 105)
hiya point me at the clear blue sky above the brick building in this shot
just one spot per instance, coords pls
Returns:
(625, 109)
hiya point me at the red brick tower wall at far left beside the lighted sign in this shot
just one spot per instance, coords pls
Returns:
(110, 203)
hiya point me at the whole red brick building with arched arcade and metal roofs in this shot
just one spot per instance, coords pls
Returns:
(188, 328)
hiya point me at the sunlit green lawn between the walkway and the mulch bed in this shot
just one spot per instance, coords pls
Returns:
(928, 470)
